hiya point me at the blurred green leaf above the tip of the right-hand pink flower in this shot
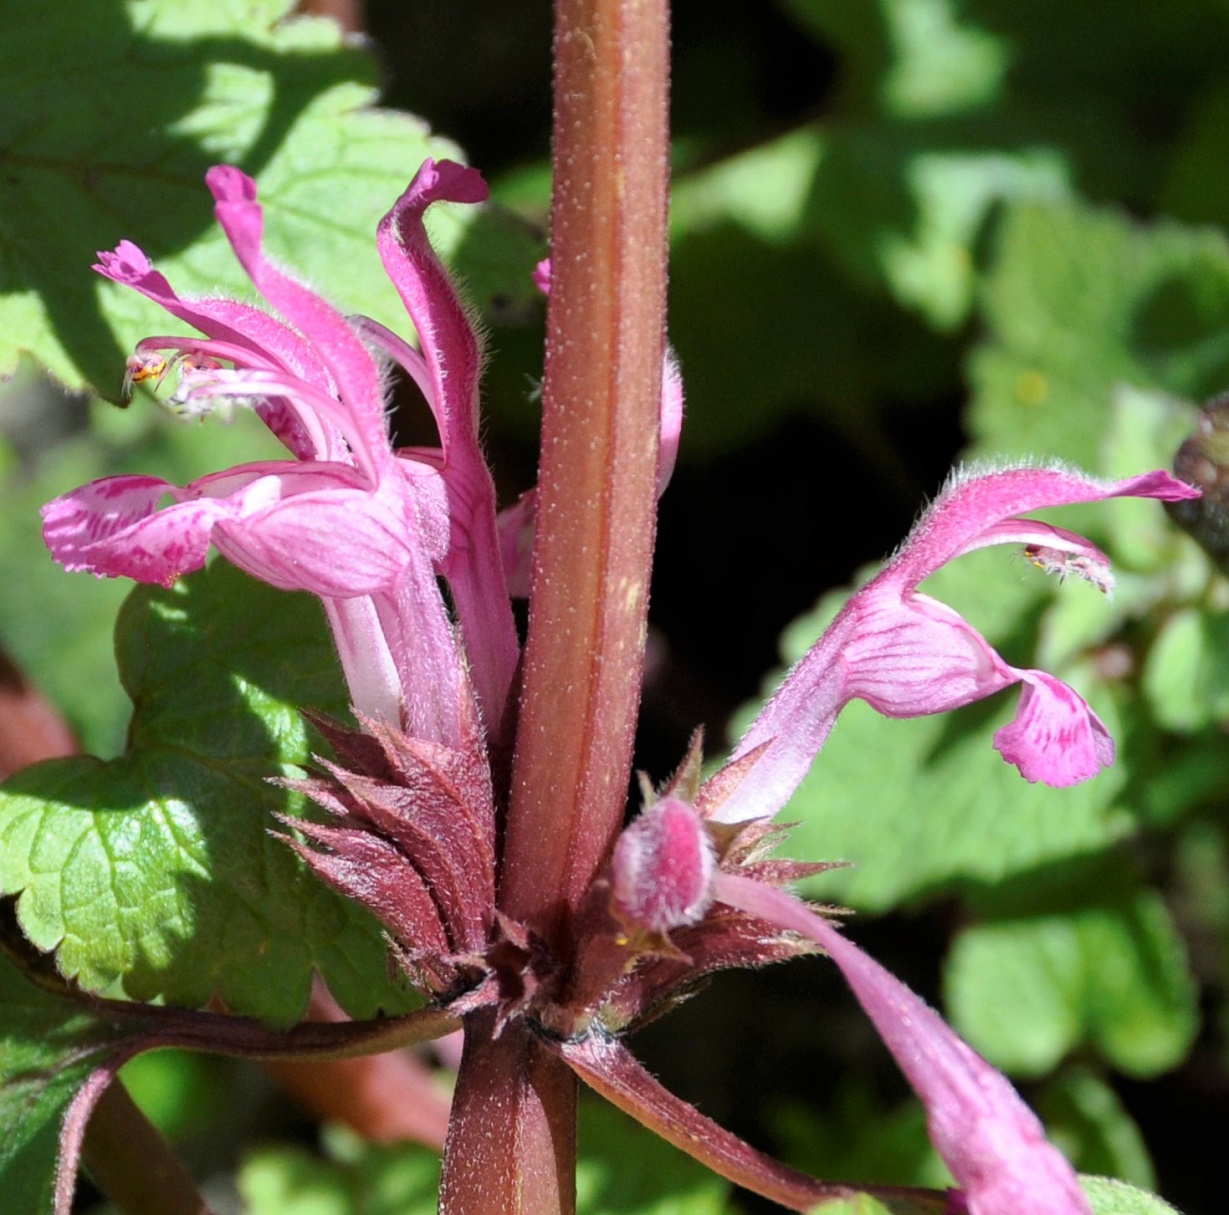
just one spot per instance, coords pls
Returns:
(1080, 302)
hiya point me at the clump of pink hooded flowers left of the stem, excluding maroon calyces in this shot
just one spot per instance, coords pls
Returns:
(347, 519)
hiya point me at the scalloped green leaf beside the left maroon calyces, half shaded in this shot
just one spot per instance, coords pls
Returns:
(159, 869)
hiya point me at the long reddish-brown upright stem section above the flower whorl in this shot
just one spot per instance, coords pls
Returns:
(597, 482)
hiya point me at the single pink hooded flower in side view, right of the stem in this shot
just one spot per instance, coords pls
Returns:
(906, 654)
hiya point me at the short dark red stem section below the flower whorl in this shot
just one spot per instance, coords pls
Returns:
(512, 1146)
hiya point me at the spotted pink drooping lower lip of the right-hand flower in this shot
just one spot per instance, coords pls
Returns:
(1055, 738)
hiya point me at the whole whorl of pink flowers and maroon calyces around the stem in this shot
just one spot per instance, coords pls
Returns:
(415, 797)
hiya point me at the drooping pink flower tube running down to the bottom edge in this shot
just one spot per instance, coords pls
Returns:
(994, 1144)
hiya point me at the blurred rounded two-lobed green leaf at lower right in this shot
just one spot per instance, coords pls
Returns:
(1028, 992)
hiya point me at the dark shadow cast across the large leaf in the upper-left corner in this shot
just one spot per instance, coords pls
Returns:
(78, 142)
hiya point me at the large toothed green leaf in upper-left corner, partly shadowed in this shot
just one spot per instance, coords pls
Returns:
(162, 90)
